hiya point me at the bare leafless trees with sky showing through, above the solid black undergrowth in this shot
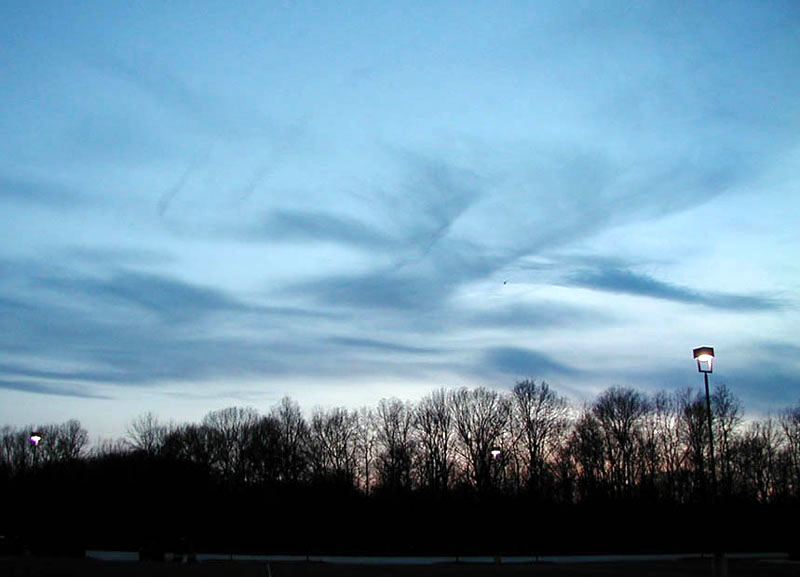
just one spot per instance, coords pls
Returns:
(623, 445)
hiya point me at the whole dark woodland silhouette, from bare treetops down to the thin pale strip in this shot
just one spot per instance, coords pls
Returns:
(470, 472)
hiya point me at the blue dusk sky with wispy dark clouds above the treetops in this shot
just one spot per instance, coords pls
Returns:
(207, 204)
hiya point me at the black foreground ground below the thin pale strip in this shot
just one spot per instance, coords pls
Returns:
(57, 567)
